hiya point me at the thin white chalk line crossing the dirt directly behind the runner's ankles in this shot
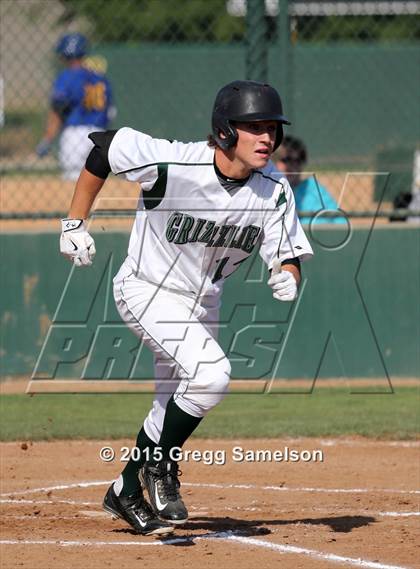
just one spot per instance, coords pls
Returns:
(223, 486)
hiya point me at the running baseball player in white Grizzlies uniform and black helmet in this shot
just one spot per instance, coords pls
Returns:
(204, 208)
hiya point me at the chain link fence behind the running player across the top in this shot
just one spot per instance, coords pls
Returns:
(348, 73)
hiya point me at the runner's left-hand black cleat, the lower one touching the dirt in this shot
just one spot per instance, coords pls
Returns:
(136, 511)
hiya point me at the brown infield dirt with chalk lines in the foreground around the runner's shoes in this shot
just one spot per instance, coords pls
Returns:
(356, 508)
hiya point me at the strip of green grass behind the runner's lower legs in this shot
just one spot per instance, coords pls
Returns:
(326, 412)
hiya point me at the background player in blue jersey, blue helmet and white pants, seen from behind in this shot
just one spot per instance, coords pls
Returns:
(81, 102)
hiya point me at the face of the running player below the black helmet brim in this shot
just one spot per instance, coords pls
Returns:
(255, 143)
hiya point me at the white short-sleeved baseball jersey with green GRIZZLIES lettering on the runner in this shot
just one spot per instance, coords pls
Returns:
(190, 233)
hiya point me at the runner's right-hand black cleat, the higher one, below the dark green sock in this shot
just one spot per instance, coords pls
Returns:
(162, 484)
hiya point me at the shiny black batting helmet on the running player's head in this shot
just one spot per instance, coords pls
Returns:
(245, 101)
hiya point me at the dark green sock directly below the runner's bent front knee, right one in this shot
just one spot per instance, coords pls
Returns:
(177, 427)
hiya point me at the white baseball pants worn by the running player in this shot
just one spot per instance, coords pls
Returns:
(181, 333)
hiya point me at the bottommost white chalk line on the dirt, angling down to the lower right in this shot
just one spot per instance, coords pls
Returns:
(224, 536)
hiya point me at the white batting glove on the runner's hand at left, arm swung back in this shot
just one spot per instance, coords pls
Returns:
(75, 242)
